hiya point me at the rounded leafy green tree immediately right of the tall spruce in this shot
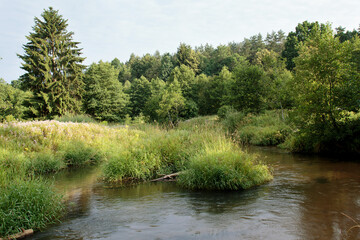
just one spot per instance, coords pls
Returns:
(104, 98)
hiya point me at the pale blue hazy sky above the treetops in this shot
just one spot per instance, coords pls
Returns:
(116, 28)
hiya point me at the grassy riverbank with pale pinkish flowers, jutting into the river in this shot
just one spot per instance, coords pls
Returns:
(198, 148)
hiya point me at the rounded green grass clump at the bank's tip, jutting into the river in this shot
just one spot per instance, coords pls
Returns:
(223, 170)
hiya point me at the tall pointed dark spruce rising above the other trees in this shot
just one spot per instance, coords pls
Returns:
(53, 67)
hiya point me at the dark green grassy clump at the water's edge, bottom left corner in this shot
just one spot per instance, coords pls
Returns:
(28, 204)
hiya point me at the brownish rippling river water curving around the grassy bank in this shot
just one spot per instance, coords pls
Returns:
(306, 200)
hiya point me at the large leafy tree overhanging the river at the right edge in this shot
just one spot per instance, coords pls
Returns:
(327, 82)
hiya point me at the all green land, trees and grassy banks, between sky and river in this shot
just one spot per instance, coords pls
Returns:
(186, 113)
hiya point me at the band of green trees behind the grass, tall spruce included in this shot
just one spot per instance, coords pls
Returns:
(310, 76)
